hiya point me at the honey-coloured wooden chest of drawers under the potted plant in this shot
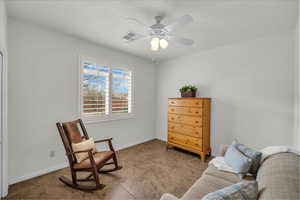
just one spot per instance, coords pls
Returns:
(189, 124)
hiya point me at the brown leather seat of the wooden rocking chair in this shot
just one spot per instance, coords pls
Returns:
(99, 157)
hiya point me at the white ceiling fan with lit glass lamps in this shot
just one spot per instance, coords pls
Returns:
(160, 34)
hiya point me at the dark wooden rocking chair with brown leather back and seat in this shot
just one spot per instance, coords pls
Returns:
(70, 133)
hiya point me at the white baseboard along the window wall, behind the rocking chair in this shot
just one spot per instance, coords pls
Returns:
(61, 166)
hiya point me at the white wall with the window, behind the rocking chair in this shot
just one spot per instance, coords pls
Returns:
(43, 89)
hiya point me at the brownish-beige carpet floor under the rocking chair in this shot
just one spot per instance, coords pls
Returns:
(149, 170)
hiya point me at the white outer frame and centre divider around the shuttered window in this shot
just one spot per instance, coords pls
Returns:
(110, 116)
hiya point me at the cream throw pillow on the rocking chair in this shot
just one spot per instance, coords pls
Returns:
(82, 146)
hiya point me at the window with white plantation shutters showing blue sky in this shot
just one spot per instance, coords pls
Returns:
(105, 92)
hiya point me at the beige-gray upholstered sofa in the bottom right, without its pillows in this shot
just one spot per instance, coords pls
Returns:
(278, 179)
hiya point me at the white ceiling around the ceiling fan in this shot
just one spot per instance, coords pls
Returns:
(216, 22)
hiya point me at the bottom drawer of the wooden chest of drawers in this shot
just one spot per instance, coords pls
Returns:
(195, 143)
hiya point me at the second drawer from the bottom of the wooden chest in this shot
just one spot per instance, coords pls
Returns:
(194, 131)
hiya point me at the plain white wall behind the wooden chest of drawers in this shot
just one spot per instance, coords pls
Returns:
(252, 86)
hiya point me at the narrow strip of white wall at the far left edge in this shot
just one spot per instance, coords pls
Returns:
(3, 101)
